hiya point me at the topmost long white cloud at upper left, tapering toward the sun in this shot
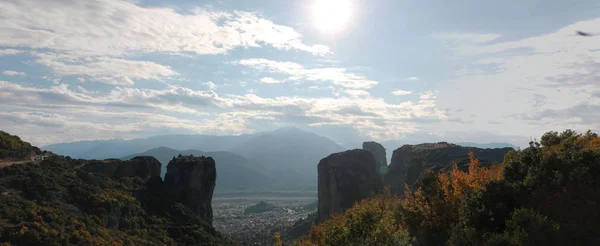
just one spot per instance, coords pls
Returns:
(119, 28)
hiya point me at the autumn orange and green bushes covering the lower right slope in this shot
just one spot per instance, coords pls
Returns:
(547, 194)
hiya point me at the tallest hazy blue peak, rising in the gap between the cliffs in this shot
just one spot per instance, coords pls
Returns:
(289, 148)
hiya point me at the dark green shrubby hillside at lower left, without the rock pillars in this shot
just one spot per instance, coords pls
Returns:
(55, 202)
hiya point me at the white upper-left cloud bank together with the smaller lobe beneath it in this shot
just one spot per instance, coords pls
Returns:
(100, 38)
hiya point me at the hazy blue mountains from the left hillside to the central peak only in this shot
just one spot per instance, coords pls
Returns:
(289, 155)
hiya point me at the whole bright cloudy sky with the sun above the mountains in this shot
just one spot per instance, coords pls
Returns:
(351, 70)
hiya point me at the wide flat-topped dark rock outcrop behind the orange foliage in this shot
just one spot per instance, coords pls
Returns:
(409, 161)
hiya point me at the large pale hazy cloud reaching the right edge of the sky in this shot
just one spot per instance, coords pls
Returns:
(542, 77)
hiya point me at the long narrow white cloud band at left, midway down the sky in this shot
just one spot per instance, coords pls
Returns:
(171, 99)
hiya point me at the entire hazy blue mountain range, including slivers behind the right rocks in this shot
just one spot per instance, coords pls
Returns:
(284, 157)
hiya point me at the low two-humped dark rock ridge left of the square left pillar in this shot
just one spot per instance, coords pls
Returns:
(139, 166)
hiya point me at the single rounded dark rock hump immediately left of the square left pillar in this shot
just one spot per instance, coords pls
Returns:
(139, 166)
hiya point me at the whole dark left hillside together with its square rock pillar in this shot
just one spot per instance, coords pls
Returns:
(59, 201)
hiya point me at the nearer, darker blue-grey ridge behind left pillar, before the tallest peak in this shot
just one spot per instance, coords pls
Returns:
(233, 171)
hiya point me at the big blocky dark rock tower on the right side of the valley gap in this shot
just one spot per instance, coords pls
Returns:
(345, 178)
